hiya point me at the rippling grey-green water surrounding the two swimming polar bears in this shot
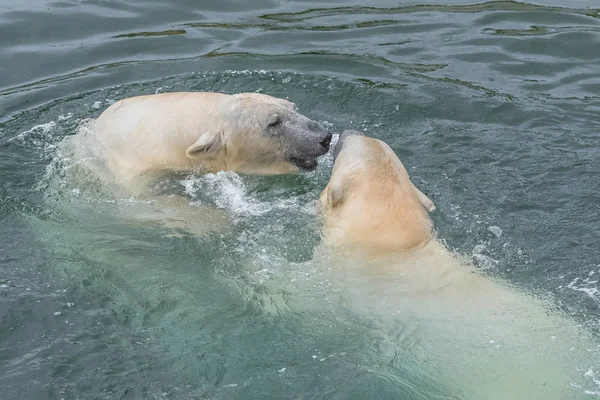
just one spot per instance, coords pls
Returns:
(493, 108)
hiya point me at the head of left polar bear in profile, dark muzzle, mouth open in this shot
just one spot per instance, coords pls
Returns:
(257, 133)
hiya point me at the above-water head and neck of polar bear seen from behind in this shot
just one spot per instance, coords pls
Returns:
(370, 200)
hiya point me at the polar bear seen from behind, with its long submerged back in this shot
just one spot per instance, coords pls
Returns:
(483, 338)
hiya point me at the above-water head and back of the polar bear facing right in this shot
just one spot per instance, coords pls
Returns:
(247, 132)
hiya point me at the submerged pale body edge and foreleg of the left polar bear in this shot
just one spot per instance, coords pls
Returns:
(85, 170)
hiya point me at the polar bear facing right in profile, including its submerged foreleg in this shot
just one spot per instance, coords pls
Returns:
(137, 138)
